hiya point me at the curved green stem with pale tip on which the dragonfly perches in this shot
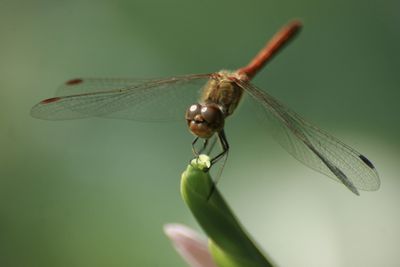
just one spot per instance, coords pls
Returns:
(229, 244)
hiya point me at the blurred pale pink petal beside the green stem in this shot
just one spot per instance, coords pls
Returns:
(189, 244)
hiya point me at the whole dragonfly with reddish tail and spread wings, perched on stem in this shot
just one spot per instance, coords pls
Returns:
(218, 96)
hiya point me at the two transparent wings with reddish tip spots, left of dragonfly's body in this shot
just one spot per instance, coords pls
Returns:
(142, 100)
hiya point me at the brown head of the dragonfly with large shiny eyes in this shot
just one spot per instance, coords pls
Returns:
(204, 120)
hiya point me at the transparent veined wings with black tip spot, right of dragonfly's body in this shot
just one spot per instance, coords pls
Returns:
(314, 147)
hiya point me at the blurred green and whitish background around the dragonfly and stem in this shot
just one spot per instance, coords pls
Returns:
(96, 192)
